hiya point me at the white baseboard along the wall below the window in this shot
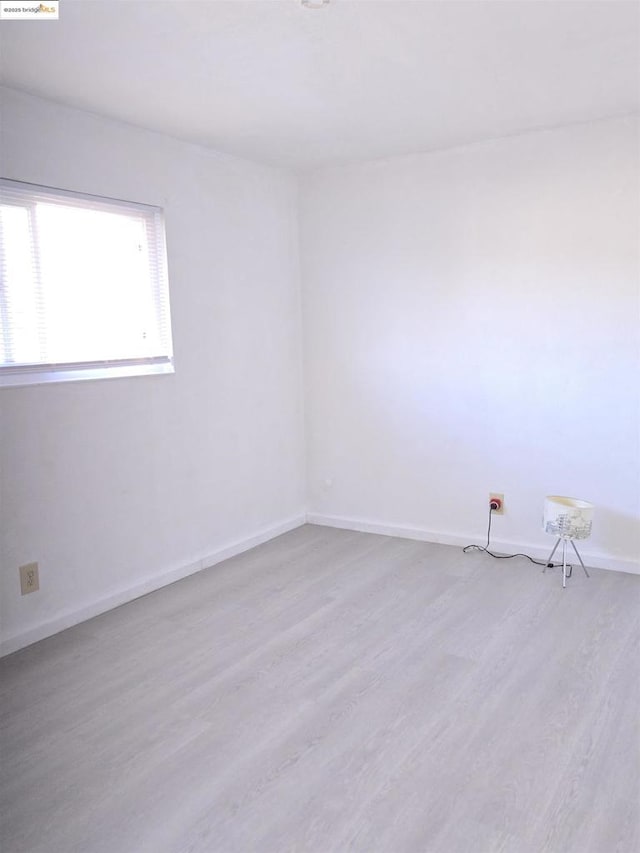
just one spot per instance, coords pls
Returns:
(150, 584)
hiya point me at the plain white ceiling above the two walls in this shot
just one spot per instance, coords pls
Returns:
(358, 79)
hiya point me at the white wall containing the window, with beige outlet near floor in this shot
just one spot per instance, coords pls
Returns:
(117, 486)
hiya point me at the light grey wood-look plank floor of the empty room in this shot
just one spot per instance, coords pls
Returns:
(334, 691)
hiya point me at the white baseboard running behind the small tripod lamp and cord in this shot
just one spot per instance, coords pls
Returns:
(591, 559)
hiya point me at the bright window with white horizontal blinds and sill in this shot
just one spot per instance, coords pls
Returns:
(83, 289)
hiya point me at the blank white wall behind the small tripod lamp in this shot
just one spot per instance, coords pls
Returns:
(471, 324)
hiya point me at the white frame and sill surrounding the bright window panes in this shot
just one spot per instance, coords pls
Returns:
(37, 373)
